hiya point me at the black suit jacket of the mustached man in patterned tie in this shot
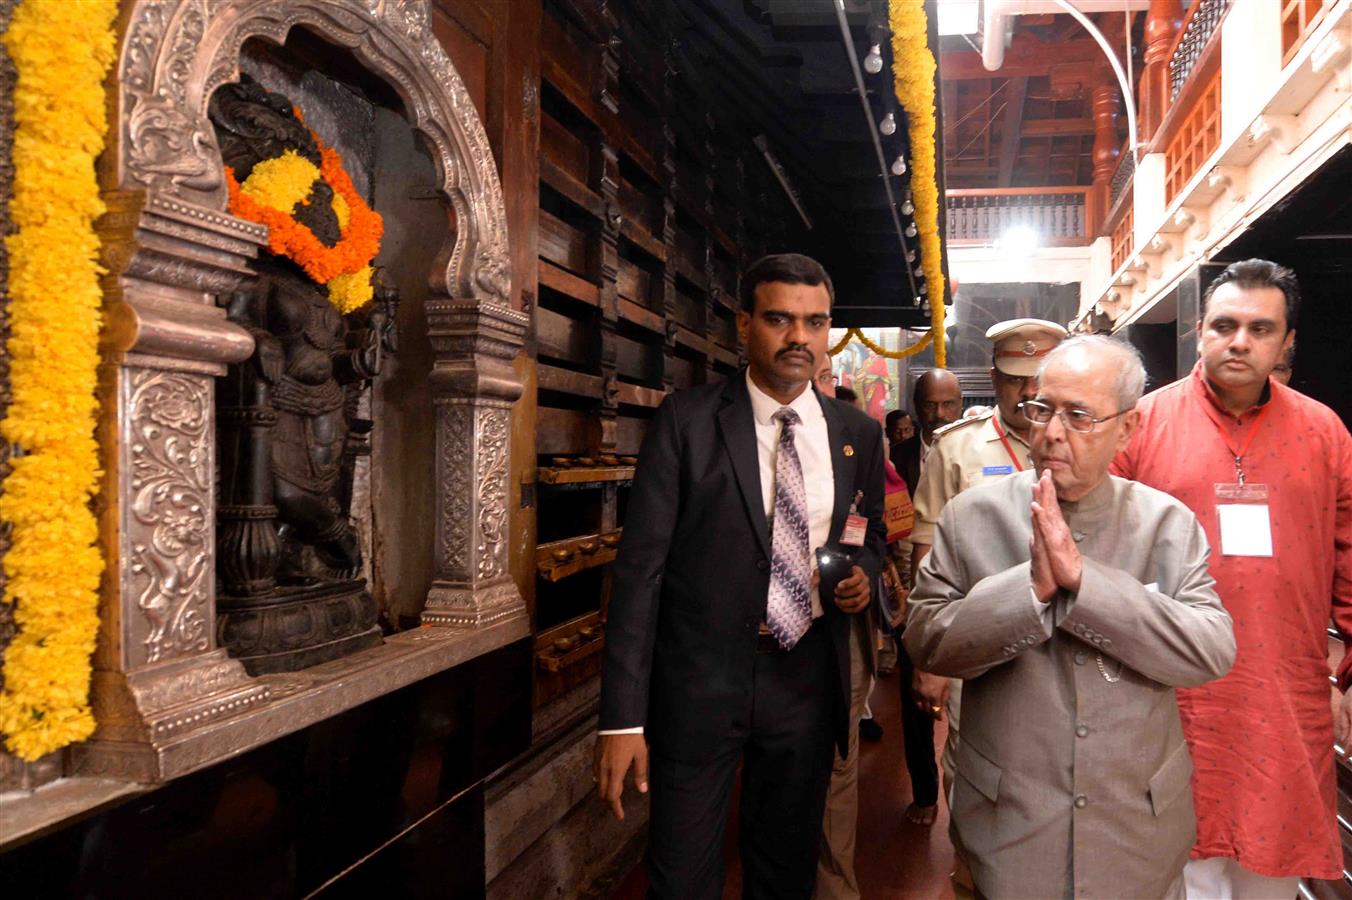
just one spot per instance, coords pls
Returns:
(693, 574)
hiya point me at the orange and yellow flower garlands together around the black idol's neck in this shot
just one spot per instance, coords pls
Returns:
(271, 195)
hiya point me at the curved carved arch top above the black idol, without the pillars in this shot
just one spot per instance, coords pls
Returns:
(176, 53)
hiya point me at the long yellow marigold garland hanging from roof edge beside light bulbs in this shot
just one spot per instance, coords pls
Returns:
(913, 70)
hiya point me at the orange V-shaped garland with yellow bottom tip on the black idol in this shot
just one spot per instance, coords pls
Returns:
(351, 256)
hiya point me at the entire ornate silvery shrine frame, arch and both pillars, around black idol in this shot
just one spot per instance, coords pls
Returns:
(170, 248)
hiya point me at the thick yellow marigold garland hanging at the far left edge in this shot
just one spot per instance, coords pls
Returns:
(62, 52)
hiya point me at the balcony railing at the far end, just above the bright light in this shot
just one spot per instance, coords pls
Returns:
(1058, 216)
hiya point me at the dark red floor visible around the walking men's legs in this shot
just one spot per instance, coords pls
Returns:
(894, 859)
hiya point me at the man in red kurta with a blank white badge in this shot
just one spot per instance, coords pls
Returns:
(1269, 474)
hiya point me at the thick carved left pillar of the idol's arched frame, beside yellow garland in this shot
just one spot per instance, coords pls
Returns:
(159, 674)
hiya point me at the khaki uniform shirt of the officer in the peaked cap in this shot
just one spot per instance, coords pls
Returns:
(966, 453)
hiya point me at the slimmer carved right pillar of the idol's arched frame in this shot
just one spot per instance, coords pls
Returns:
(474, 387)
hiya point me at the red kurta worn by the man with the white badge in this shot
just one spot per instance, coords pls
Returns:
(1262, 737)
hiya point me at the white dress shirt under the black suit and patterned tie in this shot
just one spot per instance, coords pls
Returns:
(815, 453)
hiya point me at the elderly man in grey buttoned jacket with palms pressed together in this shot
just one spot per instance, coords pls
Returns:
(1073, 603)
